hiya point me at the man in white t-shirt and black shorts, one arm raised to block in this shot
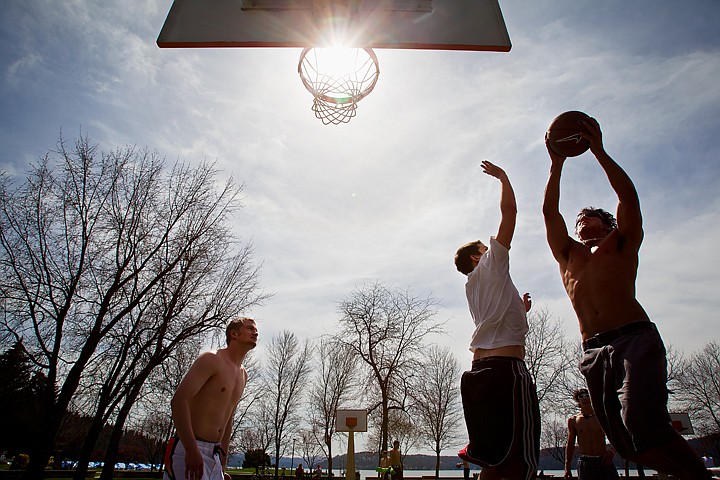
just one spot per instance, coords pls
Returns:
(499, 397)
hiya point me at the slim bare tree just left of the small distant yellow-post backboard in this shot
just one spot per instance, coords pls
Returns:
(333, 386)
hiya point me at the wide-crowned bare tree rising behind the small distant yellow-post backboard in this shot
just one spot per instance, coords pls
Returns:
(386, 329)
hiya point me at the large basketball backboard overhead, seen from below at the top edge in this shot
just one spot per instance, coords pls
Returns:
(403, 24)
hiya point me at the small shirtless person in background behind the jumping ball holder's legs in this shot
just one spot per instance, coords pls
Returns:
(595, 461)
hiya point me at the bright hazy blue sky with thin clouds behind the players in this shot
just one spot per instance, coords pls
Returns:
(391, 195)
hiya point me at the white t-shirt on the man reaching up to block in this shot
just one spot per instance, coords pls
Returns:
(495, 304)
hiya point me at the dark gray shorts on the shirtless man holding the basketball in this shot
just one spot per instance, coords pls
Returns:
(627, 381)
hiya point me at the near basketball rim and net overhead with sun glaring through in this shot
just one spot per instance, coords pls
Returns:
(338, 78)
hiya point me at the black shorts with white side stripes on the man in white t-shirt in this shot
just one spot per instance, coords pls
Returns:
(501, 412)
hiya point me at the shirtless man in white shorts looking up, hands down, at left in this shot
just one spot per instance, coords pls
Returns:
(204, 404)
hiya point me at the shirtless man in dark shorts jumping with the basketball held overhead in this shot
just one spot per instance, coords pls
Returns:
(624, 359)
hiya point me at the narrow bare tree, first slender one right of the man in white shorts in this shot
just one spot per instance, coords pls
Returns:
(288, 368)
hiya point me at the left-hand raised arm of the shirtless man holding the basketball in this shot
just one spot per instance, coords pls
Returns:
(556, 230)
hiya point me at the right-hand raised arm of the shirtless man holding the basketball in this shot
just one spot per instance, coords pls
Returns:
(628, 213)
